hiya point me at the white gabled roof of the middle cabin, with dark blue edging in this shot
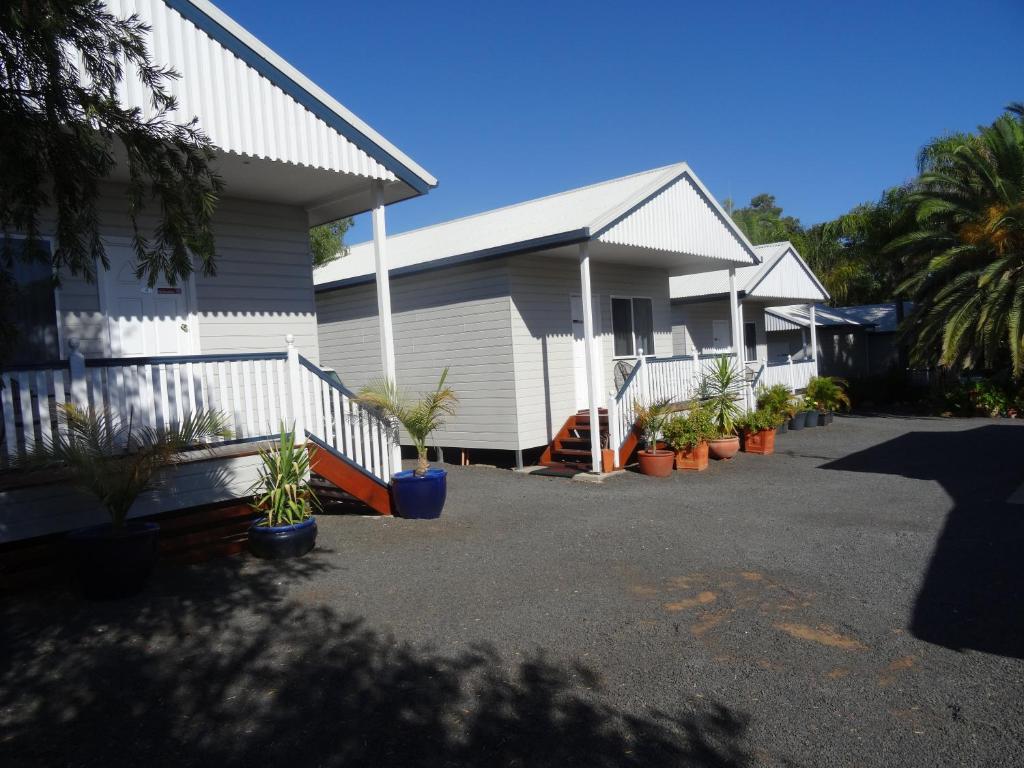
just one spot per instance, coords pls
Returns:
(666, 210)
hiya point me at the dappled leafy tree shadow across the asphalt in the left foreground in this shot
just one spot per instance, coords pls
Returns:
(217, 666)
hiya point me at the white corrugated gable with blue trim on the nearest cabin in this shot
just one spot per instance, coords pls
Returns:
(250, 102)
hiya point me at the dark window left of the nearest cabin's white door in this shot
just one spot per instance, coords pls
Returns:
(30, 309)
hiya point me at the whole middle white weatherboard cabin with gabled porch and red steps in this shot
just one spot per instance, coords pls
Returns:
(539, 310)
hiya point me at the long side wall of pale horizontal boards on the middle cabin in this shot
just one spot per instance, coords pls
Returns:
(457, 318)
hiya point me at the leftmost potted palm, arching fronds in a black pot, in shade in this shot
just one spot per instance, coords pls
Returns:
(116, 462)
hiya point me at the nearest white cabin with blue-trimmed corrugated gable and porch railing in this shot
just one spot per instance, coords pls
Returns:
(292, 157)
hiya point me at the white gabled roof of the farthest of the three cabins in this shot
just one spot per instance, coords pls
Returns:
(782, 275)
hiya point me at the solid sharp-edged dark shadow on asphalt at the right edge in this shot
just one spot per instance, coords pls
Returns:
(973, 591)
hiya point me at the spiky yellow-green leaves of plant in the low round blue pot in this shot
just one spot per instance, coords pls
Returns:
(282, 491)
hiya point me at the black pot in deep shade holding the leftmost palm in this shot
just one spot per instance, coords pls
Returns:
(109, 564)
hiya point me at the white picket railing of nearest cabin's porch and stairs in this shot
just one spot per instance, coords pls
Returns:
(258, 393)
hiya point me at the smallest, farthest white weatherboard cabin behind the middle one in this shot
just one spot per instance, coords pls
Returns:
(702, 317)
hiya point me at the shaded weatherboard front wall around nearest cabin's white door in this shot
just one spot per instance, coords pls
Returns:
(262, 292)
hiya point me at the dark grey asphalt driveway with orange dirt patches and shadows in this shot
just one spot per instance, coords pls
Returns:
(855, 601)
